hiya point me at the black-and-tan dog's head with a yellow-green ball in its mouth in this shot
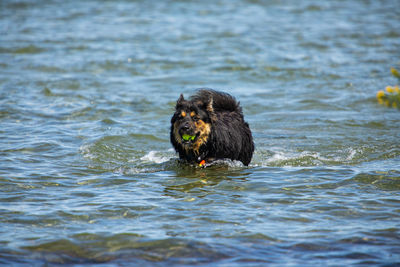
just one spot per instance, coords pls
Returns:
(191, 122)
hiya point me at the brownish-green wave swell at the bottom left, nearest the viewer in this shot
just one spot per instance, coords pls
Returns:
(88, 248)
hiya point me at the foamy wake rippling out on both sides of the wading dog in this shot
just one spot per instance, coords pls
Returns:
(114, 152)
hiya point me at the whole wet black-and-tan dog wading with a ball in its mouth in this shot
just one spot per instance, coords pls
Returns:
(210, 126)
